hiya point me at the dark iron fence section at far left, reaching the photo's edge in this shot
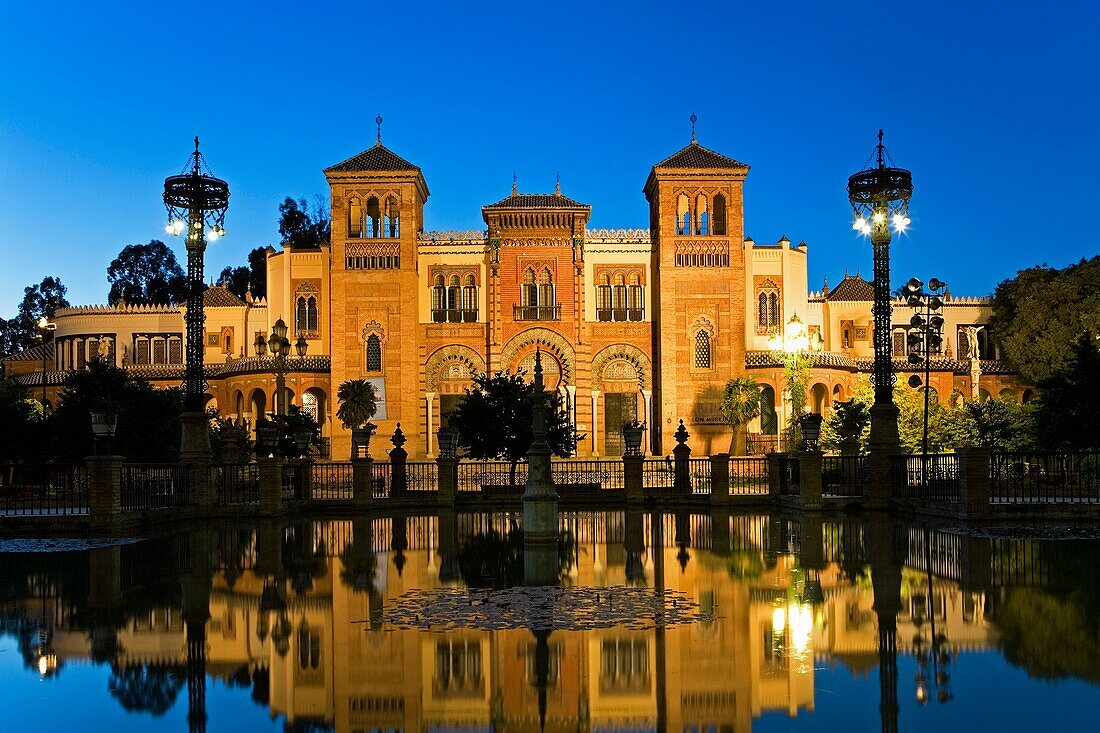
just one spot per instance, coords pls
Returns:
(43, 489)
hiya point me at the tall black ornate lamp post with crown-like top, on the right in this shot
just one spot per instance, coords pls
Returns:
(879, 196)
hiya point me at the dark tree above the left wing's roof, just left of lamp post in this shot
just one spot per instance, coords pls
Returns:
(146, 275)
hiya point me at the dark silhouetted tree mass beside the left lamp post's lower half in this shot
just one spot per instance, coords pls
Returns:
(148, 419)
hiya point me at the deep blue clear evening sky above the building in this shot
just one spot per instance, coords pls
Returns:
(994, 106)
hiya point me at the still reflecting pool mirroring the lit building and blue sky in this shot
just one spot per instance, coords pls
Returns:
(694, 623)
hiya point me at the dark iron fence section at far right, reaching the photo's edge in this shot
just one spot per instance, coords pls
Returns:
(1033, 478)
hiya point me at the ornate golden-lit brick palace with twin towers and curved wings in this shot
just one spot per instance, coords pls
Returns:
(645, 324)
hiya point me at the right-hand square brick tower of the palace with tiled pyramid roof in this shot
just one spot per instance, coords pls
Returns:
(698, 228)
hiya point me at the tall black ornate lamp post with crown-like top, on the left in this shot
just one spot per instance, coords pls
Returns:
(196, 203)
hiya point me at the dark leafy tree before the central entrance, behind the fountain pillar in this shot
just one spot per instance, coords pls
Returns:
(493, 421)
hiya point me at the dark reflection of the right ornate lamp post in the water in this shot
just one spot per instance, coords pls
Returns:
(886, 578)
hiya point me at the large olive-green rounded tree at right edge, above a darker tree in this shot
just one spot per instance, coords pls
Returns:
(1039, 313)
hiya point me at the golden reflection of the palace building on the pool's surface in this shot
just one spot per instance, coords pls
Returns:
(326, 660)
